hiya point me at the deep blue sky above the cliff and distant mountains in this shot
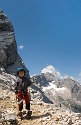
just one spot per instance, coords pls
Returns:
(47, 32)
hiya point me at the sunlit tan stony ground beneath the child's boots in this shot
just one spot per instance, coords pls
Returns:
(43, 113)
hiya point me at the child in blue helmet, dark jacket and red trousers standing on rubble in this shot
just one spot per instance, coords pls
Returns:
(21, 91)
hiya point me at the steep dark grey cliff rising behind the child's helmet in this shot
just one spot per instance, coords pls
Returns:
(9, 57)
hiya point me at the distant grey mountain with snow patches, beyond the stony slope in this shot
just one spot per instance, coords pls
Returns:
(66, 92)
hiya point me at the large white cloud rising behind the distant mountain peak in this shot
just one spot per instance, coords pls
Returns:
(56, 73)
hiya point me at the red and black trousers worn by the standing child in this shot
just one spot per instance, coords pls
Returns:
(23, 96)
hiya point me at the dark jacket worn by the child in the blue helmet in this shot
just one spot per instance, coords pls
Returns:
(22, 84)
